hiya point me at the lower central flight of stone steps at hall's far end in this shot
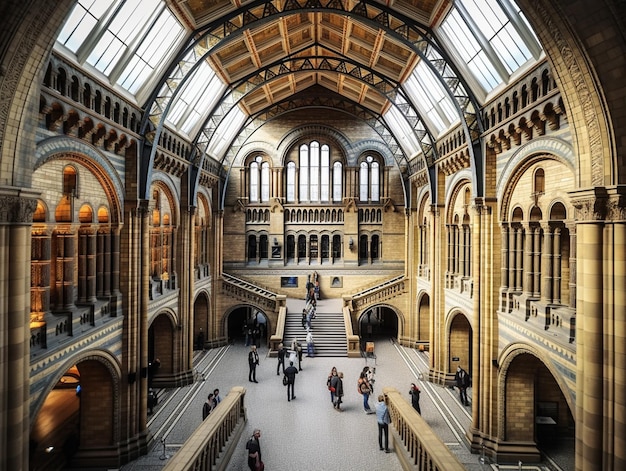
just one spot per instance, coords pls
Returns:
(329, 331)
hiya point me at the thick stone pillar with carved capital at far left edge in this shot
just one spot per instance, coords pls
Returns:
(16, 212)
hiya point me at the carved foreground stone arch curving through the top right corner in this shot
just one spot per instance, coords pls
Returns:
(584, 75)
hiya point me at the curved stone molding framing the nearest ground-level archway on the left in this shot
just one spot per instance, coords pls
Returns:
(104, 357)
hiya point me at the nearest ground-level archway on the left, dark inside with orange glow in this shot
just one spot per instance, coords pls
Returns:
(78, 415)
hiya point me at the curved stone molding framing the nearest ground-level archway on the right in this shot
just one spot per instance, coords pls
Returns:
(505, 360)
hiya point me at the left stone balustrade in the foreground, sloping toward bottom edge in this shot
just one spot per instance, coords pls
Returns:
(216, 438)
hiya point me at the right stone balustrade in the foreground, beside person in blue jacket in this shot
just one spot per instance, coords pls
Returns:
(422, 448)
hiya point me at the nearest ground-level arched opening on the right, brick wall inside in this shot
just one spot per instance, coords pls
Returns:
(532, 392)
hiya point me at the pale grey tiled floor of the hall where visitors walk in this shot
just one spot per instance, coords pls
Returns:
(307, 433)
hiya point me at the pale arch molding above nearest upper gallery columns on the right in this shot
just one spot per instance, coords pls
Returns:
(524, 158)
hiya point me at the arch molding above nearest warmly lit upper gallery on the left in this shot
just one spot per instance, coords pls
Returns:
(68, 148)
